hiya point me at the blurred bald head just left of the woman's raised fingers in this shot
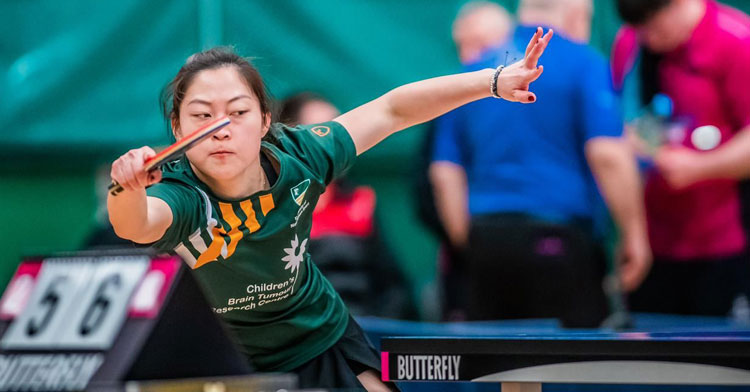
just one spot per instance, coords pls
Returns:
(479, 25)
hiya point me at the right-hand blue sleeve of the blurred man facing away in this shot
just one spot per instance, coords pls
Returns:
(600, 106)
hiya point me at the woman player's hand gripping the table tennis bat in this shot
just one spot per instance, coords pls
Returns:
(128, 170)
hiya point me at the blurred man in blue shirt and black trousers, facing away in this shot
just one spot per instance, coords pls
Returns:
(514, 185)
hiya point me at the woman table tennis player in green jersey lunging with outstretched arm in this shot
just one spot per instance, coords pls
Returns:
(238, 207)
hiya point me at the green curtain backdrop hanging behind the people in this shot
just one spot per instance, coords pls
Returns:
(81, 79)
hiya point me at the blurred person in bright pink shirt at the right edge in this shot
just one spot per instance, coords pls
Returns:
(697, 52)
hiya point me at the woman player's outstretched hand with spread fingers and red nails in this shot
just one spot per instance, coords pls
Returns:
(513, 82)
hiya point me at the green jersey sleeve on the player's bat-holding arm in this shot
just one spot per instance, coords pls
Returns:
(186, 205)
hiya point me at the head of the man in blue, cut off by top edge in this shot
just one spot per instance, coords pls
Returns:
(570, 17)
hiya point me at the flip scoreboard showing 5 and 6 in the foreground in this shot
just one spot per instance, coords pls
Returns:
(96, 320)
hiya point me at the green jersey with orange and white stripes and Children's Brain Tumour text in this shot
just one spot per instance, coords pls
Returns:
(251, 255)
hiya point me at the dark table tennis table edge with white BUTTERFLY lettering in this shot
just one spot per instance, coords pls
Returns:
(522, 363)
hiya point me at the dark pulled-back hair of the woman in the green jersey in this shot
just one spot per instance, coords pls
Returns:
(174, 92)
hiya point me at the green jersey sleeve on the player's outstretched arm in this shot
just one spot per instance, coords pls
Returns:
(326, 148)
